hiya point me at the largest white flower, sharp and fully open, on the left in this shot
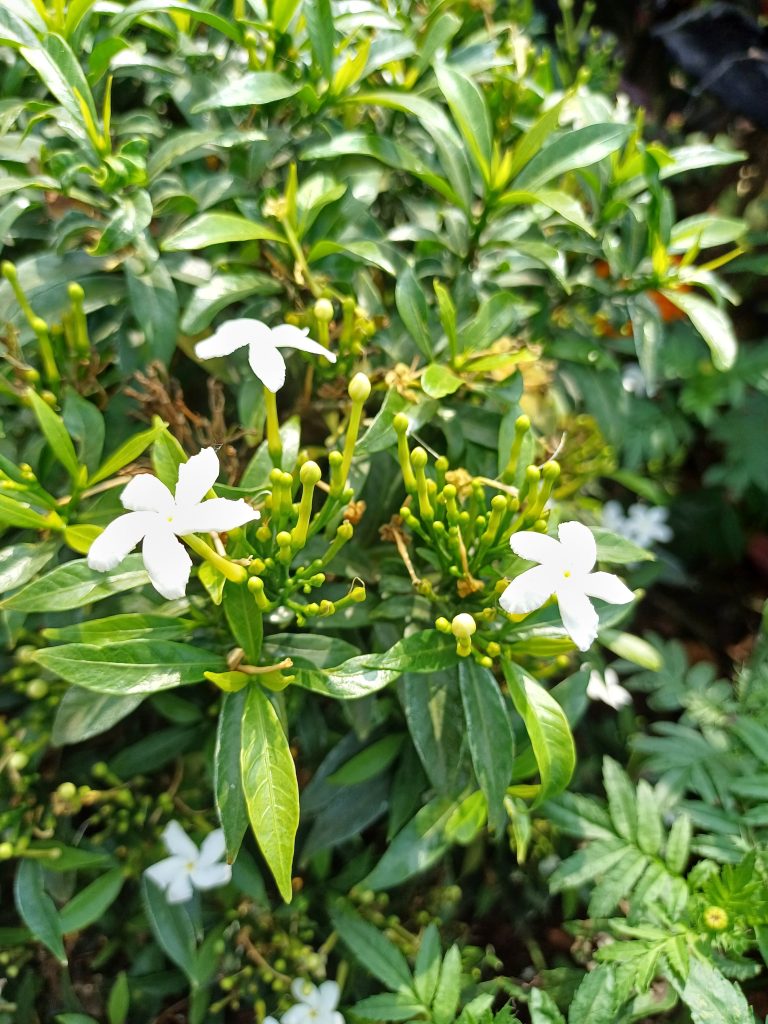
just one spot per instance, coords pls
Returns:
(158, 518)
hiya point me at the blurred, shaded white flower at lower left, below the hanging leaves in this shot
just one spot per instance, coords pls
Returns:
(189, 868)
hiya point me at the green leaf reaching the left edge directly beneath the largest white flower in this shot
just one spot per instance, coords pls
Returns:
(74, 585)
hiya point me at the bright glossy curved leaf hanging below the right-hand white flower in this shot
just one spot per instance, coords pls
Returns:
(547, 728)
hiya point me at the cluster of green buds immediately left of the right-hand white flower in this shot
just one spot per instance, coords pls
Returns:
(467, 523)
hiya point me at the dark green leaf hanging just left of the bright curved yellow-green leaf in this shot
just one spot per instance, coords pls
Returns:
(492, 743)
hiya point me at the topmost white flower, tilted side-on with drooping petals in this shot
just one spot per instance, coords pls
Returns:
(264, 345)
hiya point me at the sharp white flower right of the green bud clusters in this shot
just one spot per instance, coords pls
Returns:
(566, 571)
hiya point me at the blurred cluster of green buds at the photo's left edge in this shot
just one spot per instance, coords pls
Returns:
(63, 350)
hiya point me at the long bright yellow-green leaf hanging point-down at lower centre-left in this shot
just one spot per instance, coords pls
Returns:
(271, 787)
